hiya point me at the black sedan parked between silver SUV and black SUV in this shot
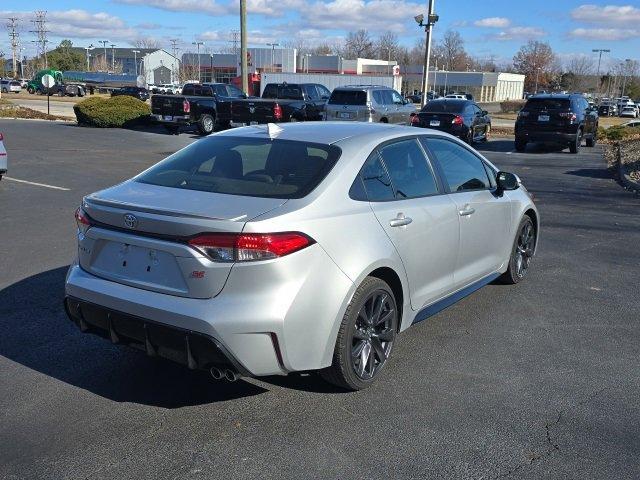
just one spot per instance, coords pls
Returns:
(461, 118)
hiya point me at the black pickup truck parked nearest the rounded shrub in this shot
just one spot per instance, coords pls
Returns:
(207, 106)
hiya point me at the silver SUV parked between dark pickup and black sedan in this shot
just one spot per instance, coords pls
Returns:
(369, 103)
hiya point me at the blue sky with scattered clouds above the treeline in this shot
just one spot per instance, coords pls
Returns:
(490, 28)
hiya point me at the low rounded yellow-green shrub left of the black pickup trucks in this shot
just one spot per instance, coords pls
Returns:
(121, 111)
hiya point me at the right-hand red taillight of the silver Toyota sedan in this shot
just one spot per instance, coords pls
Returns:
(246, 247)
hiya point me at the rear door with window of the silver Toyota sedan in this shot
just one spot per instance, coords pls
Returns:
(419, 219)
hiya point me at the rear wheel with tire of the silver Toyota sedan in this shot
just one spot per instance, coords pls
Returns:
(366, 336)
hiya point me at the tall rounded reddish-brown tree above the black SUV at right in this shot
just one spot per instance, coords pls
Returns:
(535, 60)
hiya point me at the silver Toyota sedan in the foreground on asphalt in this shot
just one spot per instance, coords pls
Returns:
(274, 249)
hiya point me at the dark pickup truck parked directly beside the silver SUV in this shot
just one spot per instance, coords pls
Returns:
(282, 102)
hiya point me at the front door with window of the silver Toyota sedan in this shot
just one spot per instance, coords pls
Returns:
(485, 236)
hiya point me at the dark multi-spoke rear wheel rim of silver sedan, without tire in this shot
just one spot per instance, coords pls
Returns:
(373, 334)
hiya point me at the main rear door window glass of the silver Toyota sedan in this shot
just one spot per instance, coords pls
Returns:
(408, 168)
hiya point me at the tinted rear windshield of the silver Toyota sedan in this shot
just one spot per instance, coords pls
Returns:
(251, 167)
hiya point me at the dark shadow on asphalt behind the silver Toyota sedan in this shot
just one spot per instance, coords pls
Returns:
(36, 333)
